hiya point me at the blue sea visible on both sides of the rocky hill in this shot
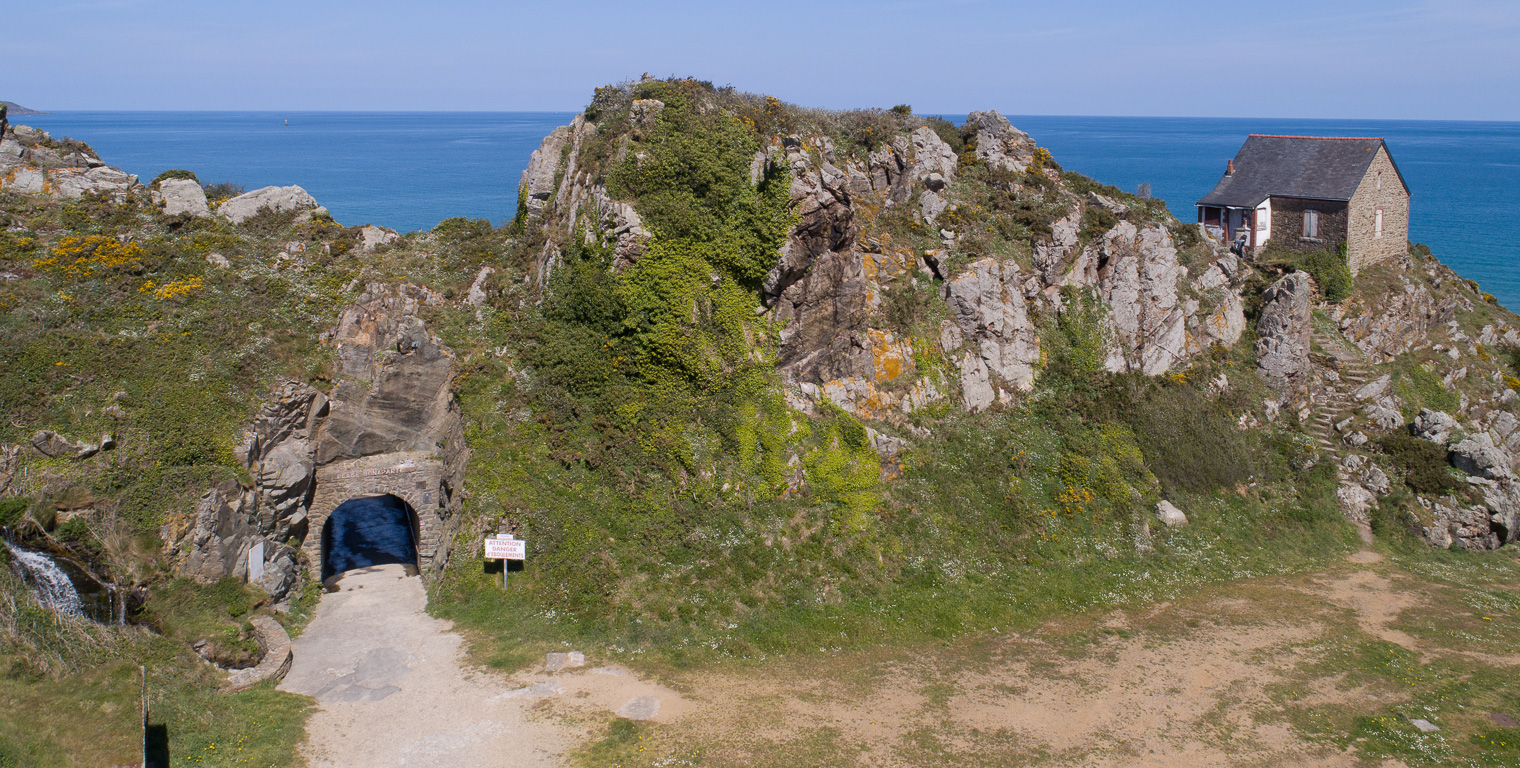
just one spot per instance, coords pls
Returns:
(410, 171)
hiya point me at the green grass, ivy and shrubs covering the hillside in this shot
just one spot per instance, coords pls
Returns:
(629, 420)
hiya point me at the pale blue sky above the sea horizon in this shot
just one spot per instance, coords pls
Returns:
(1352, 59)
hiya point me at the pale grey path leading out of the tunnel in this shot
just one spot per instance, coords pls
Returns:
(393, 690)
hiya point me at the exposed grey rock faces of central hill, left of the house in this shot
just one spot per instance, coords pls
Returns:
(911, 217)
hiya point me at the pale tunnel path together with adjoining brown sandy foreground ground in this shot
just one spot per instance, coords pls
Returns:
(1205, 682)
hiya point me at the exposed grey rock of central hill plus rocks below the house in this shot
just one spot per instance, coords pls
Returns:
(928, 265)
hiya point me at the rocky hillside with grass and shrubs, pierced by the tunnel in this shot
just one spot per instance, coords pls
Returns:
(750, 379)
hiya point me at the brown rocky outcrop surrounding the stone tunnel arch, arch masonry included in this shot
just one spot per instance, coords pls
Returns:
(391, 416)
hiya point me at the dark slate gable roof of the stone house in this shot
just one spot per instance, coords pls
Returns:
(1296, 167)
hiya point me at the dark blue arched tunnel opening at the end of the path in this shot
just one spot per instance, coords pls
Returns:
(370, 532)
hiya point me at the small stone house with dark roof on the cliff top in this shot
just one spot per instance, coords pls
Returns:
(1311, 194)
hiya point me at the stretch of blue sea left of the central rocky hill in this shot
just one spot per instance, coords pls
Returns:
(407, 171)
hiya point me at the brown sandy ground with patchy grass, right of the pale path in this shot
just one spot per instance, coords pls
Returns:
(1185, 687)
